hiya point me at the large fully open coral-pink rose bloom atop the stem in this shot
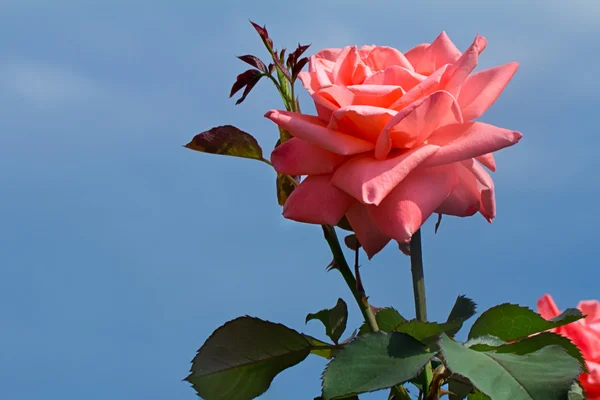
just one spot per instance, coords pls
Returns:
(394, 140)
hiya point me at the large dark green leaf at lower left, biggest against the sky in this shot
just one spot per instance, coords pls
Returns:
(241, 358)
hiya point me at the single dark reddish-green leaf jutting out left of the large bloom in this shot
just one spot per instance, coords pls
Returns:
(229, 141)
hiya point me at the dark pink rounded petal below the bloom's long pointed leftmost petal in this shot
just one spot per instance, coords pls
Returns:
(298, 157)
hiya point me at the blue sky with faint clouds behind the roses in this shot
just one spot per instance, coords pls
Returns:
(121, 251)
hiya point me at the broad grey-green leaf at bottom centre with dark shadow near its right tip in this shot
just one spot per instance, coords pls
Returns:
(372, 362)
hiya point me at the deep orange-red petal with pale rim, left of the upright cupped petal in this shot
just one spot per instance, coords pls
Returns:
(365, 122)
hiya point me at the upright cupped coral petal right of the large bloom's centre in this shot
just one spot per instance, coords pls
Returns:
(413, 125)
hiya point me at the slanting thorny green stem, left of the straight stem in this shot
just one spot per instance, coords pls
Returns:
(342, 265)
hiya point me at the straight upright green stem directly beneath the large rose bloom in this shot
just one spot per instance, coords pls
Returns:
(416, 267)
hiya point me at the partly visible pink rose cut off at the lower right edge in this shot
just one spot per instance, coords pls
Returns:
(585, 333)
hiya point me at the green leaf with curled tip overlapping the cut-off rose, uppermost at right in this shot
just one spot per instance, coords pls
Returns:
(510, 322)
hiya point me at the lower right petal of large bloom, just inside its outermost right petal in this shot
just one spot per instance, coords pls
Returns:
(465, 199)
